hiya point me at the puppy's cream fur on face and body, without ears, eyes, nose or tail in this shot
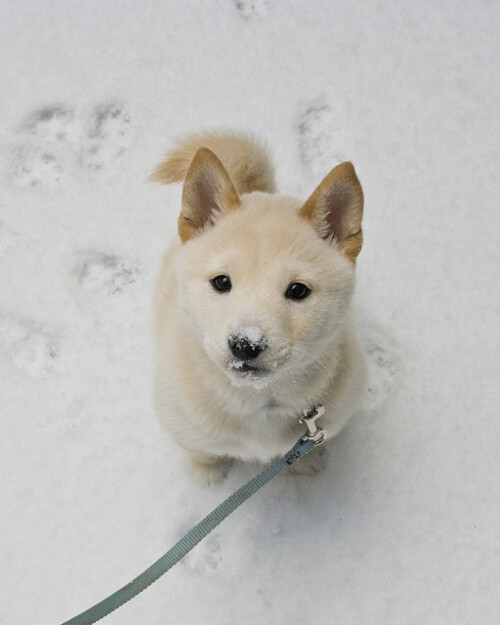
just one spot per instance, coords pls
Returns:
(213, 408)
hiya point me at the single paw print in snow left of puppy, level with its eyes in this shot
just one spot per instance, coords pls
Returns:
(105, 274)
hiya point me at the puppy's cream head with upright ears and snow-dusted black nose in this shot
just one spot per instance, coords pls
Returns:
(265, 280)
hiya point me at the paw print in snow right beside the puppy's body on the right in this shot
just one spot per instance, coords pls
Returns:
(382, 366)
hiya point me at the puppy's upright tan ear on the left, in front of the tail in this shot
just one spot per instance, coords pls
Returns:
(208, 193)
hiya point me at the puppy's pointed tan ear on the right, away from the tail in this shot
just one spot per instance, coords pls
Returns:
(335, 210)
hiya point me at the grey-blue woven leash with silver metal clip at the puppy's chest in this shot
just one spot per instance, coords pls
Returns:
(313, 437)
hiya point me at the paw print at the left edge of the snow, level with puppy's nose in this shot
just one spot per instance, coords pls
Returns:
(31, 349)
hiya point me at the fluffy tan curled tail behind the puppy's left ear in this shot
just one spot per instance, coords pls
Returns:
(247, 160)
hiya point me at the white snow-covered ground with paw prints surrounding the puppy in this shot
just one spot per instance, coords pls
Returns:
(403, 526)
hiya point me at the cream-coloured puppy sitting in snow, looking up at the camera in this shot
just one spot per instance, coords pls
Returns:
(252, 306)
